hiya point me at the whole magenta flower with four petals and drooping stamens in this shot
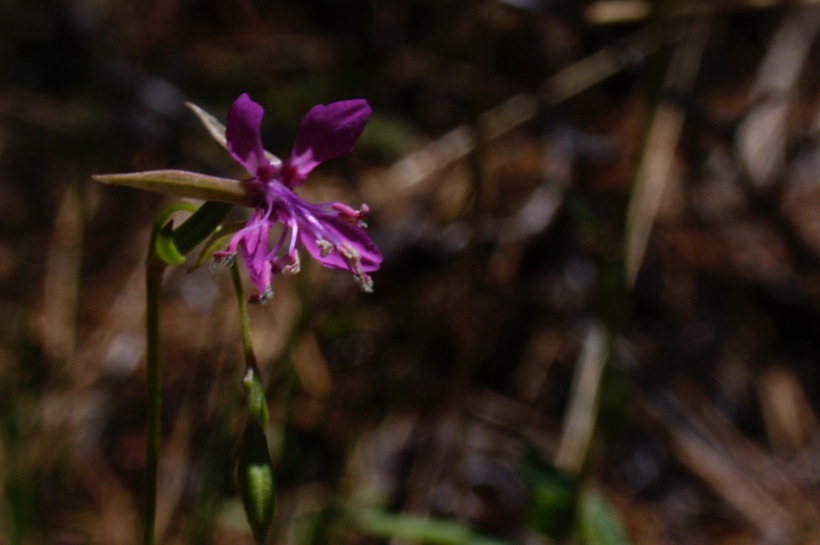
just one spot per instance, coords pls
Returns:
(332, 233)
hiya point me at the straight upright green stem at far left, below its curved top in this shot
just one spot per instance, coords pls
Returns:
(153, 285)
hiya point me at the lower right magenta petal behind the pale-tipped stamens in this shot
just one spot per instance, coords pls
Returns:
(346, 233)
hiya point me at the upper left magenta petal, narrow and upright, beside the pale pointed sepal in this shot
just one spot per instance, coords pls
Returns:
(242, 132)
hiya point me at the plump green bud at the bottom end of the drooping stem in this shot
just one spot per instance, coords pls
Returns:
(256, 481)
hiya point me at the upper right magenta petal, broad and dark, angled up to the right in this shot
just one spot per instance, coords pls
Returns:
(327, 132)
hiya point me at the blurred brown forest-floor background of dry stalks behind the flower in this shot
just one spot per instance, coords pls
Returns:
(597, 320)
